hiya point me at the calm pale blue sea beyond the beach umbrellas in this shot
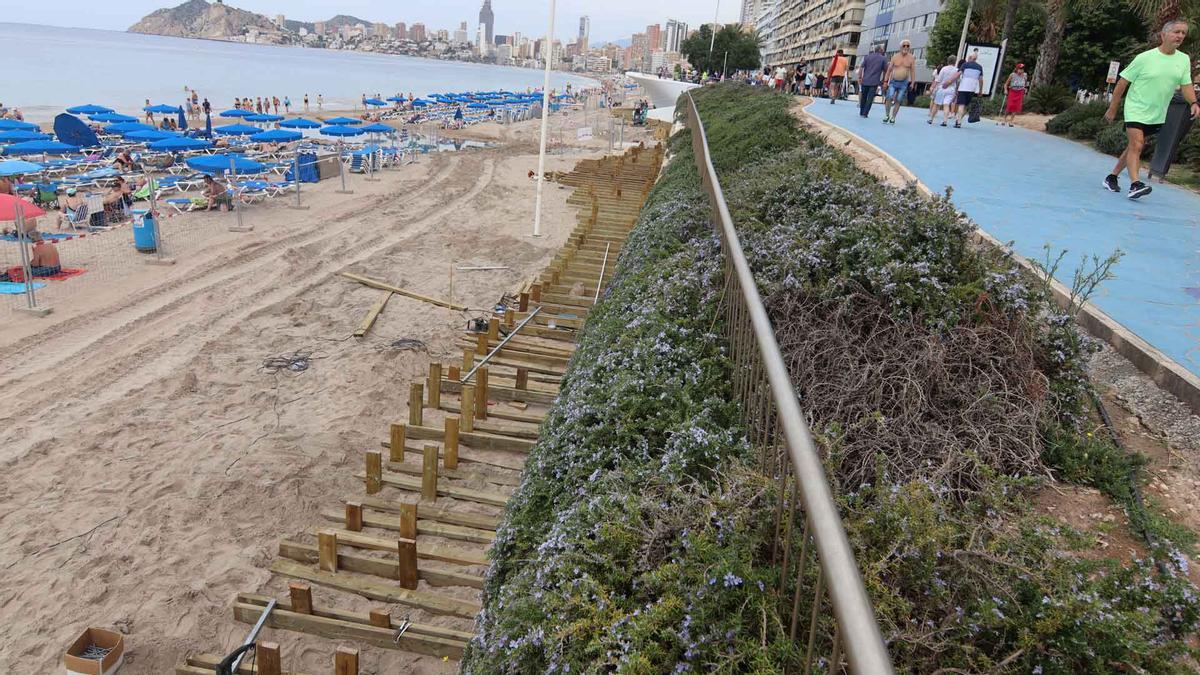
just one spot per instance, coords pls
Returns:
(49, 69)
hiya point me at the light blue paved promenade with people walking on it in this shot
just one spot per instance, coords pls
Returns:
(1034, 189)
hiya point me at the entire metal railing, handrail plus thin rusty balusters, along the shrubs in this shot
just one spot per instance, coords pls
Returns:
(778, 429)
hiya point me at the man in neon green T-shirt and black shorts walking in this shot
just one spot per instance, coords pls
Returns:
(1151, 81)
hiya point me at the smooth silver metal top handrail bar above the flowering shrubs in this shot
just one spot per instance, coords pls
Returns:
(853, 608)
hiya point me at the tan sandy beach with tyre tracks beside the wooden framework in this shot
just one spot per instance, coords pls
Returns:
(151, 465)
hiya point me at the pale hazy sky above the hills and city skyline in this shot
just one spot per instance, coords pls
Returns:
(611, 20)
